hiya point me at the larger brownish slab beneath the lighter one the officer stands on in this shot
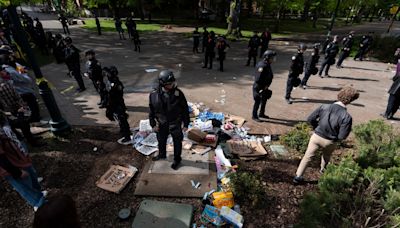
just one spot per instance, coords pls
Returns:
(176, 185)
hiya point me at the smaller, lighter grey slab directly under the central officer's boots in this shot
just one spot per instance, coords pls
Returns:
(191, 164)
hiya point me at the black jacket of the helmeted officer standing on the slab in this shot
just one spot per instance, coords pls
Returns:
(168, 108)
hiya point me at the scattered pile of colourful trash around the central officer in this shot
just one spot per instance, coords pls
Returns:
(229, 138)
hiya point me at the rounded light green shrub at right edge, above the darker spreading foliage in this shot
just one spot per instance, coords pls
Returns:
(377, 145)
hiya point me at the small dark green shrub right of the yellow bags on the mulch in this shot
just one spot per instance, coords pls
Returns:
(248, 187)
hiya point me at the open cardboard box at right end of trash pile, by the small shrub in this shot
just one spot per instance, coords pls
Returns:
(246, 149)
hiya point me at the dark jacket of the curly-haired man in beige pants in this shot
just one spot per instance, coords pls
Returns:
(331, 121)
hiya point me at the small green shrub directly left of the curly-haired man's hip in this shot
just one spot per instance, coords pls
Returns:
(297, 138)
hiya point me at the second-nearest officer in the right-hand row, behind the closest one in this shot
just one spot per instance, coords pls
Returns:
(296, 68)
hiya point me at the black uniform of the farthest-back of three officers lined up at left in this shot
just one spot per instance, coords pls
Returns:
(72, 59)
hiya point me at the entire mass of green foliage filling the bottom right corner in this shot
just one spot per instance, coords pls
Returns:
(364, 189)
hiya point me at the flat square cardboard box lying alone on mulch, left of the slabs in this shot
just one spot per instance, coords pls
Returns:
(116, 178)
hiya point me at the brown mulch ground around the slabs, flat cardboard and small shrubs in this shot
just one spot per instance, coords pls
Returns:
(70, 166)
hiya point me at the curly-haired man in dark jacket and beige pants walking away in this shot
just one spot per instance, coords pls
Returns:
(331, 123)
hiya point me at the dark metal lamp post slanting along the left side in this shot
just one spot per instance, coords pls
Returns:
(57, 124)
